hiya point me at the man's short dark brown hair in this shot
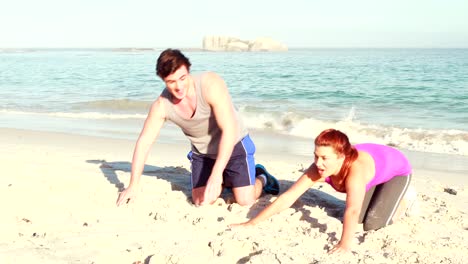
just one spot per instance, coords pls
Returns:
(169, 61)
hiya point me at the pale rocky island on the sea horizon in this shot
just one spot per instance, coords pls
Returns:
(225, 43)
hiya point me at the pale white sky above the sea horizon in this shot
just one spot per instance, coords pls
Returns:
(183, 23)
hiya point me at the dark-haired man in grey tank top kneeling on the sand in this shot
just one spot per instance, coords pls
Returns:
(222, 152)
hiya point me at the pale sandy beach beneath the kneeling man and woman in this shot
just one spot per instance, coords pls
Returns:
(58, 206)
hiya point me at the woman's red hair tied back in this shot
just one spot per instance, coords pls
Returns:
(340, 143)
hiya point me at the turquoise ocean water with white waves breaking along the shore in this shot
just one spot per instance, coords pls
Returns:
(414, 99)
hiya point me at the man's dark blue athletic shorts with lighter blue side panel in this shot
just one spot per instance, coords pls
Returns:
(239, 172)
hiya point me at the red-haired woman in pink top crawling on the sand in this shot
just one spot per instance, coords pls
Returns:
(374, 178)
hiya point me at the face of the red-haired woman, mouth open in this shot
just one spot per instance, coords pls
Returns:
(328, 162)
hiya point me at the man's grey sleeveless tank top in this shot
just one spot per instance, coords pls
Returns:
(202, 129)
